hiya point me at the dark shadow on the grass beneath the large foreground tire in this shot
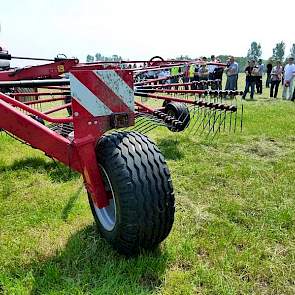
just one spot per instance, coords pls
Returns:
(89, 265)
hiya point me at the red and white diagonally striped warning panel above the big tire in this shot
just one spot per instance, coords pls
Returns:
(102, 92)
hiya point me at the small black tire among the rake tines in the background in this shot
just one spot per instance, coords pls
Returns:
(180, 112)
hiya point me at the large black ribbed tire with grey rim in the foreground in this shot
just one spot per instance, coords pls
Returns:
(141, 210)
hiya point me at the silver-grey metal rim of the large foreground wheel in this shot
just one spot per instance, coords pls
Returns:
(107, 216)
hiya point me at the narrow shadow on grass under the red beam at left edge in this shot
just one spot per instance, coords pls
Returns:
(56, 171)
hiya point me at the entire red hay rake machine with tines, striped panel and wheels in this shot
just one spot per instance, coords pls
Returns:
(70, 111)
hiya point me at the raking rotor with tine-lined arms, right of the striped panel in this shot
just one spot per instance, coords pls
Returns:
(192, 107)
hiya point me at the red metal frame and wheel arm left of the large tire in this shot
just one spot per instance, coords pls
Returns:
(79, 153)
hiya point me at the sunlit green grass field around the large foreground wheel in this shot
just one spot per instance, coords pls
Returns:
(234, 231)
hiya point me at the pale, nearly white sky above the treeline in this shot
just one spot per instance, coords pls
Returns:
(142, 29)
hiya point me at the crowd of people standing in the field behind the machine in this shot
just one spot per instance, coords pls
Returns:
(276, 73)
